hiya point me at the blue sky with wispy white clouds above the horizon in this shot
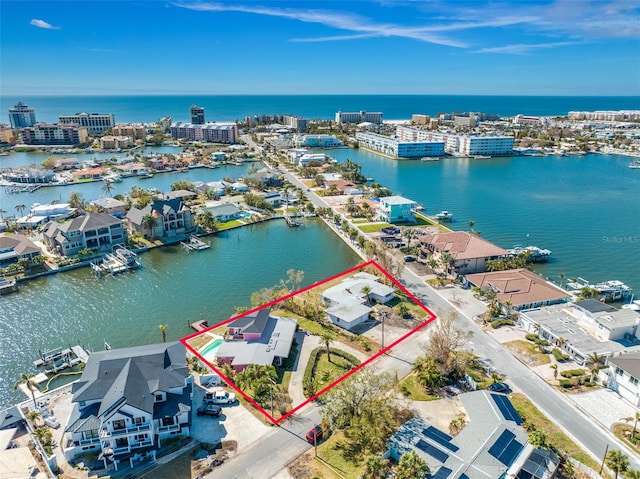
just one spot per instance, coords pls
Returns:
(561, 47)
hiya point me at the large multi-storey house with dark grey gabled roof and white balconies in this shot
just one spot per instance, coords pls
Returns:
(127, 402)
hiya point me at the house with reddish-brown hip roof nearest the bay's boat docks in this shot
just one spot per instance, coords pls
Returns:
(470, 252)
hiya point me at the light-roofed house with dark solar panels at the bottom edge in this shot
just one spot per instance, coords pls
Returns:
(492, 444)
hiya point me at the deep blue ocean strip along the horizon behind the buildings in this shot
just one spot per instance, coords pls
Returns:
(129, 109)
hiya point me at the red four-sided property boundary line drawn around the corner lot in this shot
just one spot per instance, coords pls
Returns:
(430, 318)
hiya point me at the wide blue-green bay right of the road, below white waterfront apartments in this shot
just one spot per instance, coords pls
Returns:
(585, 209)
